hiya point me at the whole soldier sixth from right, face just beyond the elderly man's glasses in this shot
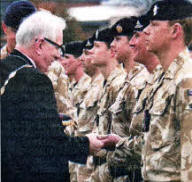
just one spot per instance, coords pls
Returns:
(79, 85)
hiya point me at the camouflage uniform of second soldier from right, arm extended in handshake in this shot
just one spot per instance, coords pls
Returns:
(127, 155)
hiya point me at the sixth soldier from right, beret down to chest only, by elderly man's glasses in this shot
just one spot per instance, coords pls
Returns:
(80, 81)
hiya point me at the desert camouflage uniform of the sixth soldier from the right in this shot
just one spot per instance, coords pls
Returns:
(77, 93)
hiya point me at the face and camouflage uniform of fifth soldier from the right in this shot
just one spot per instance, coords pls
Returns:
(88, 110)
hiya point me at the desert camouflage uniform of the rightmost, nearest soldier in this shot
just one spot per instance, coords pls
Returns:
(167, 153)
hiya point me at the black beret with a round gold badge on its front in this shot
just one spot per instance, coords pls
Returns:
(124, 26)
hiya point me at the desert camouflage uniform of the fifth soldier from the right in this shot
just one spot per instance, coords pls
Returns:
(87, 113)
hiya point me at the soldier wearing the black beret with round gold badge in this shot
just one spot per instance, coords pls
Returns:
(137, 75)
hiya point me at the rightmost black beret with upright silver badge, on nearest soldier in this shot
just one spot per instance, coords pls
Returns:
(170, 10)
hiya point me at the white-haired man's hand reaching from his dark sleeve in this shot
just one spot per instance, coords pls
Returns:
(94, 143)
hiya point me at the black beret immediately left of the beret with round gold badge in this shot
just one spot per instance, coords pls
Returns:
(104, 35)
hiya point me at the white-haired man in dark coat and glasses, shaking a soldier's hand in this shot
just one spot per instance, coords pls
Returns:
(34, 146)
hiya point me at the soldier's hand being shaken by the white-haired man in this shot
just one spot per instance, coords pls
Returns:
(109, 140)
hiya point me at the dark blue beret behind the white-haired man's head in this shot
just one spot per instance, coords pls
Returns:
(16, 11)
